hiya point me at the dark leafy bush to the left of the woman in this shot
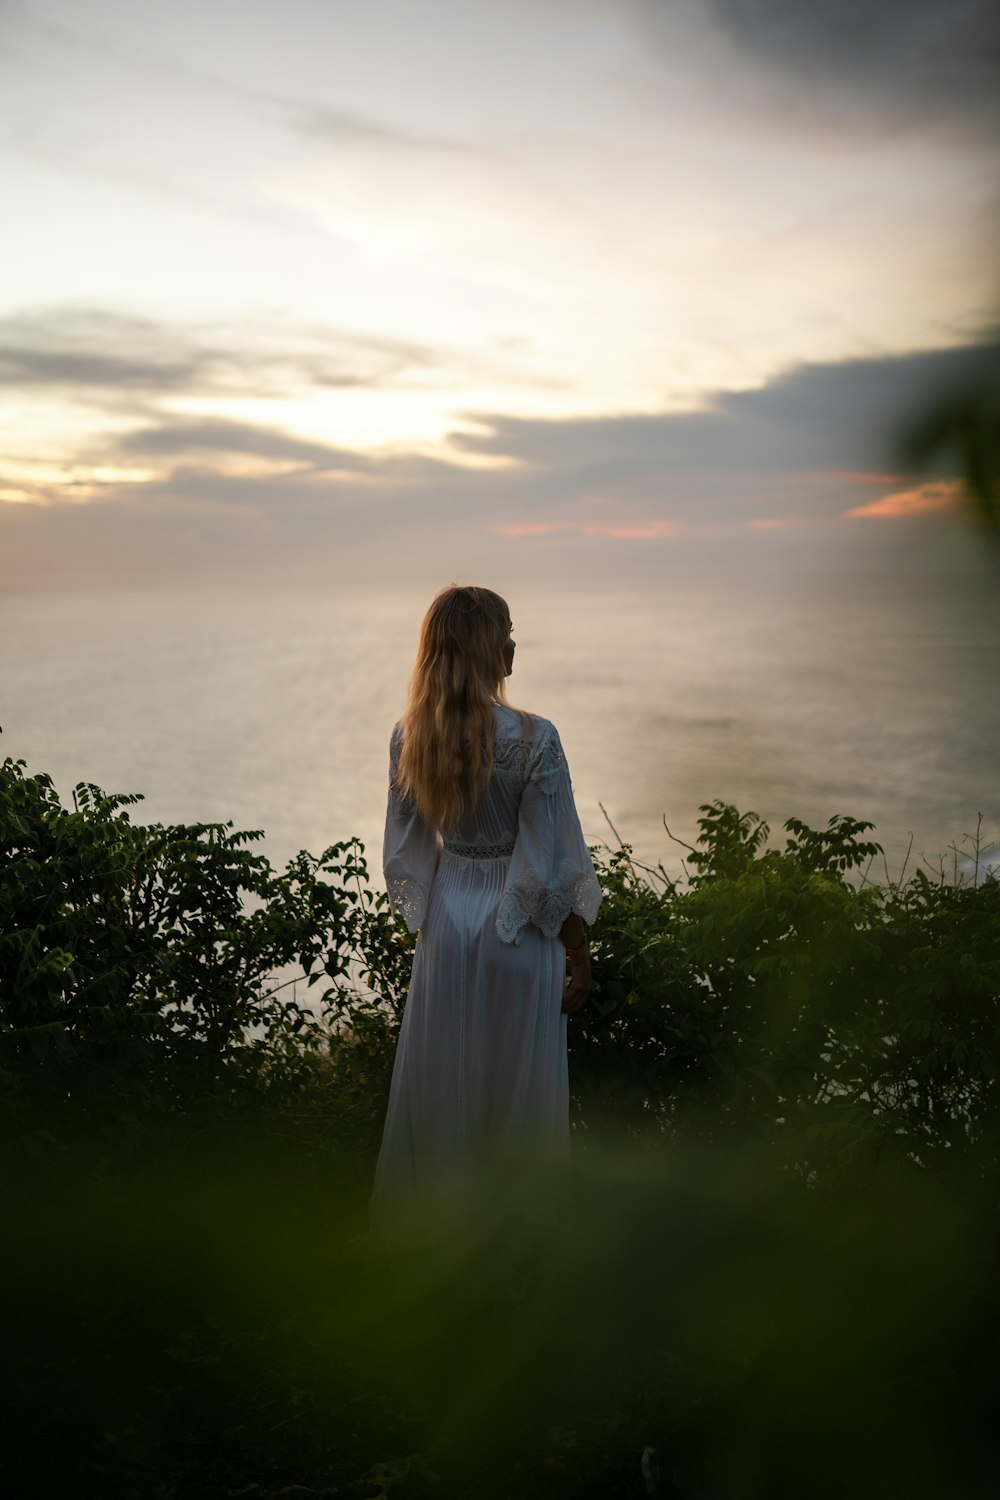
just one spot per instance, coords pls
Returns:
(148, 968)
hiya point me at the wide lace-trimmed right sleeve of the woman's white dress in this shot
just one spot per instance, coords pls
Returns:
(551, 872)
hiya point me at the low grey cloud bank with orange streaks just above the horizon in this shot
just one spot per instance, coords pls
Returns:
(770, 470)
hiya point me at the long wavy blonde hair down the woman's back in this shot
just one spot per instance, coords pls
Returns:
(460, 677)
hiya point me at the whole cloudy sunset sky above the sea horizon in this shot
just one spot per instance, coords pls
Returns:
(582, 290)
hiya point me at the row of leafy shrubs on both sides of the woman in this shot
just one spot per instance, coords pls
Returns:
(774, 997)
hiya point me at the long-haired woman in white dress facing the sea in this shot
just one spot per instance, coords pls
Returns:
(484, 856)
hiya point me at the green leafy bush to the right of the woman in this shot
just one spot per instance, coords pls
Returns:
(779, 997)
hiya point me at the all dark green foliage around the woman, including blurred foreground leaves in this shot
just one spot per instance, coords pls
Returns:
(768, 1270)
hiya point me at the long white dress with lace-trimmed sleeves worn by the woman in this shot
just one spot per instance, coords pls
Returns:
(482, 1057)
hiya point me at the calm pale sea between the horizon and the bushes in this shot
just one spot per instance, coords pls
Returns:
(275, 710)
